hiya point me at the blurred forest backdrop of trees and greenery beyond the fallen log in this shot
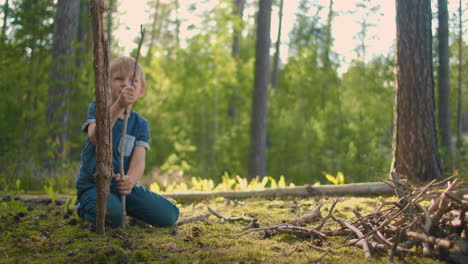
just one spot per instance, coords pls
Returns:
(321, 118)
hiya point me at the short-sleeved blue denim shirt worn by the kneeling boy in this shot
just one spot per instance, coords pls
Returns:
(137, 135)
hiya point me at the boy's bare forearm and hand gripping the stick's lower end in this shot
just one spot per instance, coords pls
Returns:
(135, 171)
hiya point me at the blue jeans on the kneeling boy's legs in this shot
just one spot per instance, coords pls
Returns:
(142, 204)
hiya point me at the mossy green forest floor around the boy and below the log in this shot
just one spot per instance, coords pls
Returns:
(40, 233)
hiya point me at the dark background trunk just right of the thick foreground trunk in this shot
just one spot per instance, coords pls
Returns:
(444, 86)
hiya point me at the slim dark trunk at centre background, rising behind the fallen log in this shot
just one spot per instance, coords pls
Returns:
(258, 129)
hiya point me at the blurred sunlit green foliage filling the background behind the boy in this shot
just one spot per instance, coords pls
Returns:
(198, 104)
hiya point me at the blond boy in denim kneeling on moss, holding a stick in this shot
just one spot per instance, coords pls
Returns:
(141, 203)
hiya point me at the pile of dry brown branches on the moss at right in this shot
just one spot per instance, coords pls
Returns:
(431, 221)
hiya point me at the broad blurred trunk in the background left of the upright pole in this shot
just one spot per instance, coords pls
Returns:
(61, 73)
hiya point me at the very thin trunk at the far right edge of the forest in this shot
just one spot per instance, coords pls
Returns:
(460, 76)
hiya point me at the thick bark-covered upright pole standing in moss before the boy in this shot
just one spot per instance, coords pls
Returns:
(103, 115)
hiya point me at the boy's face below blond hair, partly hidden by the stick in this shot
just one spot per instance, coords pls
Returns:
(121, 79)
